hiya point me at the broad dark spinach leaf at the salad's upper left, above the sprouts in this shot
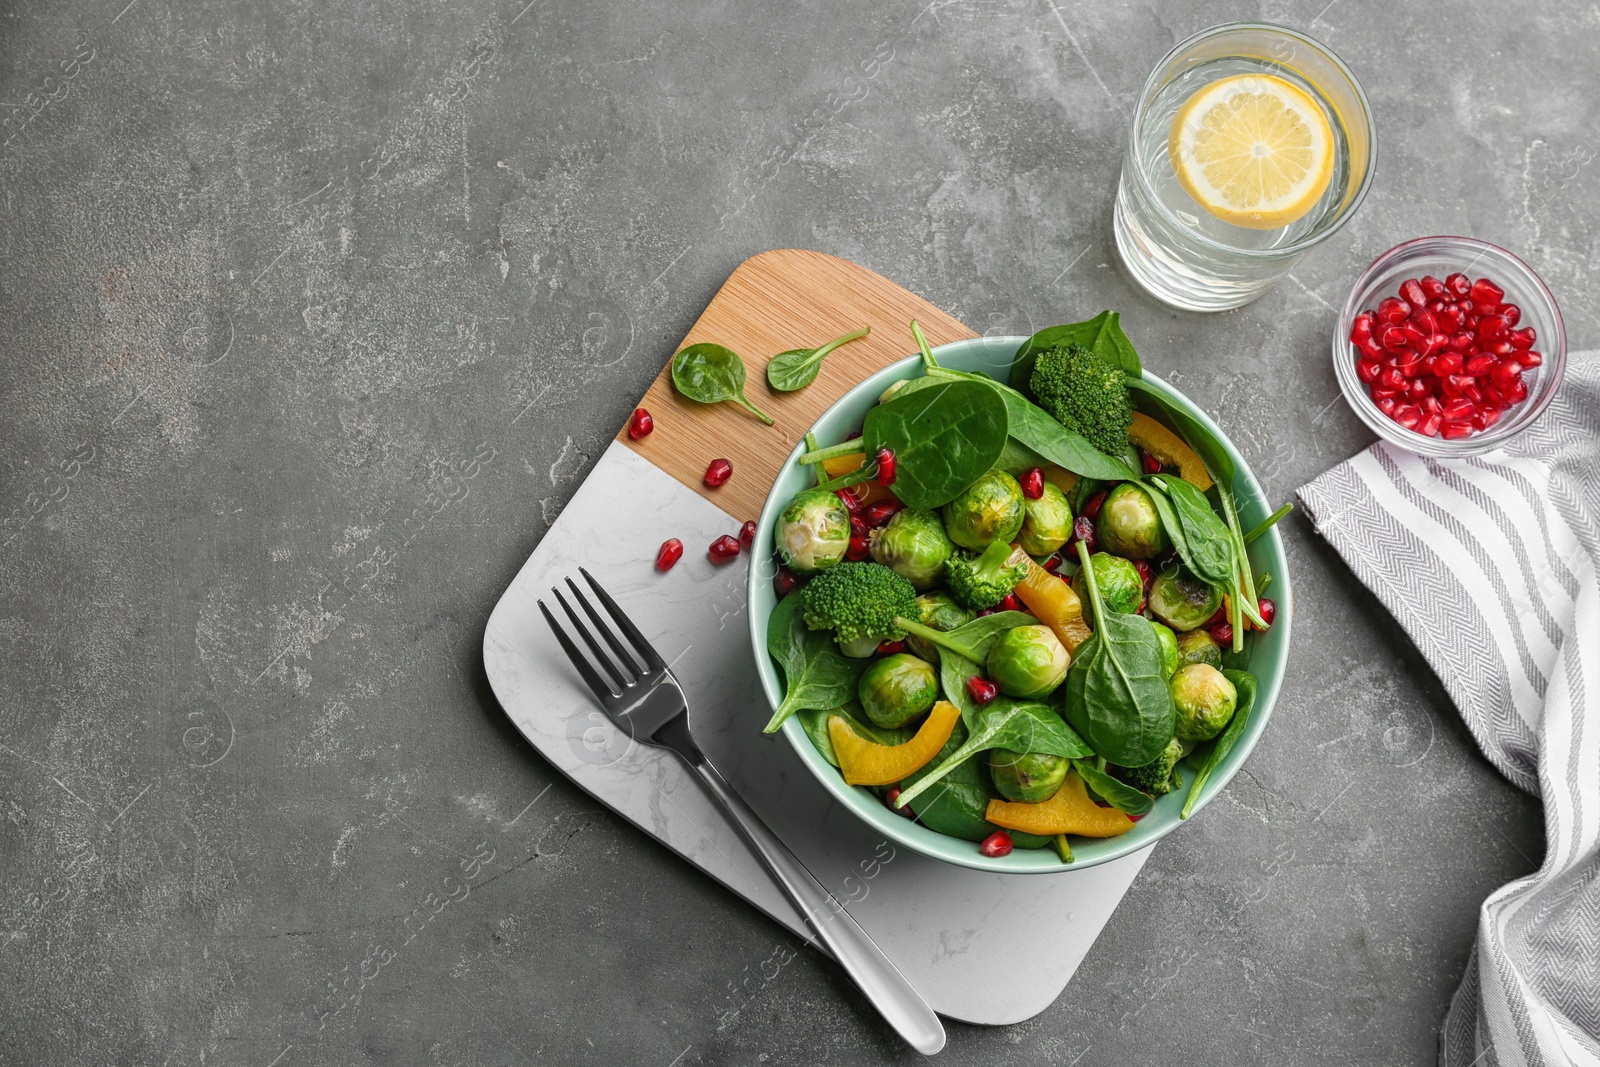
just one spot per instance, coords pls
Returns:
(943, 439)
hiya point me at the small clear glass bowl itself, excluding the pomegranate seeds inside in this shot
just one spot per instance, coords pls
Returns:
(1442, 257)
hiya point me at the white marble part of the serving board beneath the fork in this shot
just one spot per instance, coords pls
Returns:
(982, 948)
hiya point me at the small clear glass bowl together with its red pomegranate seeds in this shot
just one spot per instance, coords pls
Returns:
(1470, 399)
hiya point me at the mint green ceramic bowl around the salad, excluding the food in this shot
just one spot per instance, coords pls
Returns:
(1270, 652)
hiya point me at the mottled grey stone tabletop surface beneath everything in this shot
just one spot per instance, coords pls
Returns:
(281, 278)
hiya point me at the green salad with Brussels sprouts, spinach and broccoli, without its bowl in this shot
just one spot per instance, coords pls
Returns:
(1022, 610)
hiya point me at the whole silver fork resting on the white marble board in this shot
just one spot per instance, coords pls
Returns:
(639, 693)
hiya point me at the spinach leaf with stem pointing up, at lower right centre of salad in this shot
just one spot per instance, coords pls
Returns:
(1116, 687)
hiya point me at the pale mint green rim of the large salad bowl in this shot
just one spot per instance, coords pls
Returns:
(961, 852)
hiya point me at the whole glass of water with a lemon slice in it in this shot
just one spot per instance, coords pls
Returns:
(1250, 146)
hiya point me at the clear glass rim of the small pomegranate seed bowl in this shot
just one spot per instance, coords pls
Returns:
(1345, 354)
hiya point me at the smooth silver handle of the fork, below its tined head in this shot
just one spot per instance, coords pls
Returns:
(900, 1004)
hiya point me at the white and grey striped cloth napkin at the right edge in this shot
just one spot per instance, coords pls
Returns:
(1510, 541)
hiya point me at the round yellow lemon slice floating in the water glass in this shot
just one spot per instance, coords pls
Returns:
(1254, 151)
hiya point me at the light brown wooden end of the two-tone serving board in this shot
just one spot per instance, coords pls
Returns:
(756, 314)
